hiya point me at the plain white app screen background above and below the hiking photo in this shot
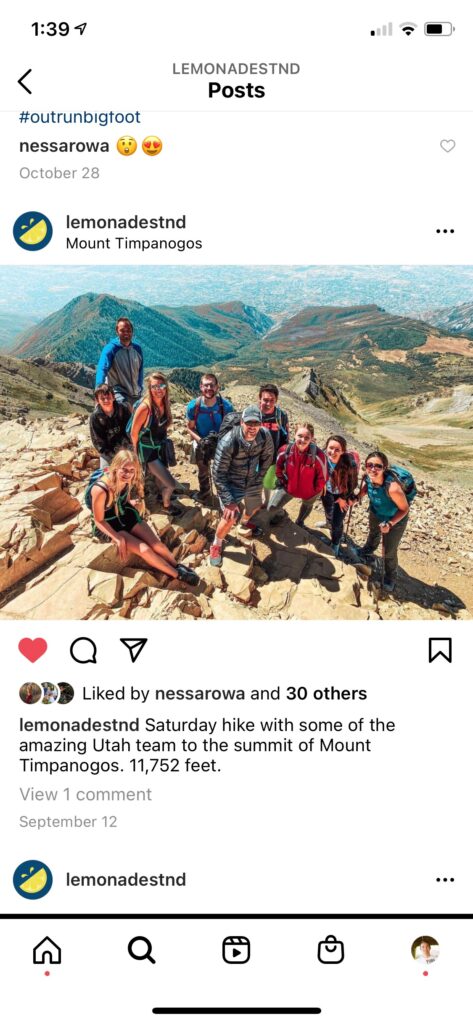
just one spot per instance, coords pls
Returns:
(327, 834)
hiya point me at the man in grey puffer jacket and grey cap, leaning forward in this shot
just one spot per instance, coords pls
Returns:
(244, 454)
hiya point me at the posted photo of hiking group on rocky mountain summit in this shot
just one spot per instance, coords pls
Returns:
(279, 454)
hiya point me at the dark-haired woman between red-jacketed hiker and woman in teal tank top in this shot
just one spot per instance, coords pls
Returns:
(340, 492)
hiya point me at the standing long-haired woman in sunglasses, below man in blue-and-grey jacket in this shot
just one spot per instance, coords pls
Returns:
(149, 432)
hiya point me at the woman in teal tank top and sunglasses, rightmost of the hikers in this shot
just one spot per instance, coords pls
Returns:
(390, 506)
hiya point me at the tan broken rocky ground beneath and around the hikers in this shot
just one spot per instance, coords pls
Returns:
(52, 568)
